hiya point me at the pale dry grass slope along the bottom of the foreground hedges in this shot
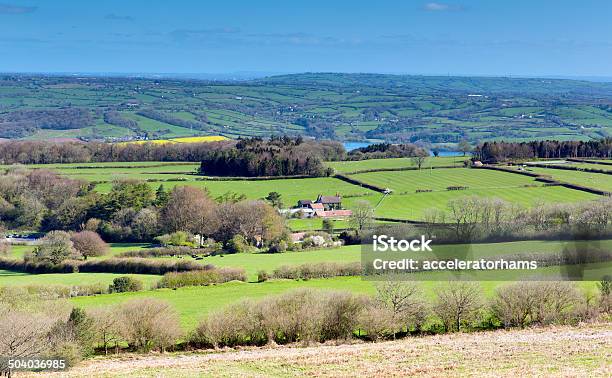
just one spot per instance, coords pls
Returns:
(553, 351)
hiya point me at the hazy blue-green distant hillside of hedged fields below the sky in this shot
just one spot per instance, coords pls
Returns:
(429, 109)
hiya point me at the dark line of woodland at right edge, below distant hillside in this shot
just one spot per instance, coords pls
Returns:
(492, 152)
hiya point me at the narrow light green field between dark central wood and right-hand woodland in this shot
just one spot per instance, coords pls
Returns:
(393, 163)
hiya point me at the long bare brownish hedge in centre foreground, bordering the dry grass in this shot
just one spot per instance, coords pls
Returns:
(301, 315)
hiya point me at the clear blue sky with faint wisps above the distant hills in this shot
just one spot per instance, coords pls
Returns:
(495, 37)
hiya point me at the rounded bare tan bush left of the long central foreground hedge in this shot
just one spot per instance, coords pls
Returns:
(149, 323)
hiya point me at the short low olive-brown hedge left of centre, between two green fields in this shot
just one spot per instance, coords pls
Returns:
(202, 277)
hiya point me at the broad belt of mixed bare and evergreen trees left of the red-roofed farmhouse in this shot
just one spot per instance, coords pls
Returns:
(41, 200)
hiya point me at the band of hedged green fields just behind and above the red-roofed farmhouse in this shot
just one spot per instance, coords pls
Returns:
(414, 191)
